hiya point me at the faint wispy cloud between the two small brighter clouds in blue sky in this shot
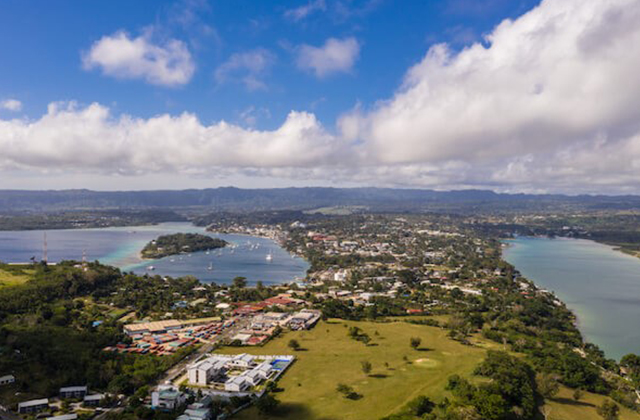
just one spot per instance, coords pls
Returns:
(248, 67)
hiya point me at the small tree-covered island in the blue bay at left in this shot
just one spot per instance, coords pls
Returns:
(180, 243)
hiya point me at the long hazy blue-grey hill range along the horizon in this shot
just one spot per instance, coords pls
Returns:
(236, 199)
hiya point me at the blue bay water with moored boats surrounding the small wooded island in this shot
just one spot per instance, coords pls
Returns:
(120, 247)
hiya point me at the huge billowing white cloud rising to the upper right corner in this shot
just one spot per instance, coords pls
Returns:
(547, 87)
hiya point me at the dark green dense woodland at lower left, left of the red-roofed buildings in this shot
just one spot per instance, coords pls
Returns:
(50, 337)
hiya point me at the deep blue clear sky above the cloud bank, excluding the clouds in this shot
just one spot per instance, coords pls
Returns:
(43, 42)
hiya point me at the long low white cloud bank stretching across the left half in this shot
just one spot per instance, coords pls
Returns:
(71, 137)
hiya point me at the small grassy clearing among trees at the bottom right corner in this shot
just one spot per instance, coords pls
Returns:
(563, 407)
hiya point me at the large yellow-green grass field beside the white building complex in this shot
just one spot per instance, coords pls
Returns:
(331, 357)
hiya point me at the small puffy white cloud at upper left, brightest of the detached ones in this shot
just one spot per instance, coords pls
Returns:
(168, 63)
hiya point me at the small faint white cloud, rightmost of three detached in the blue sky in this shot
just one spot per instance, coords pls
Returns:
(335, 56)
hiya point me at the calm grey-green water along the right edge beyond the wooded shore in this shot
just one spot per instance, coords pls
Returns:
(601, 285)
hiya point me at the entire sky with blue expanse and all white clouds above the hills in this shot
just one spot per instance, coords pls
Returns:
(508, 95)
